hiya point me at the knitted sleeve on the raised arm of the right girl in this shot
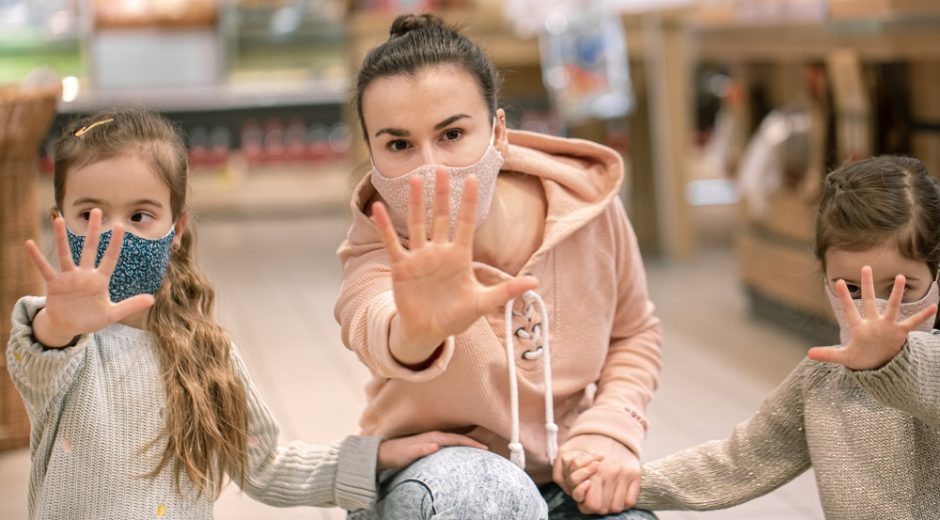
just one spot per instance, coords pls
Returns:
(911, 381)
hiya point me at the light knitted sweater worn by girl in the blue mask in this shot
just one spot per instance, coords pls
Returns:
(94, 407)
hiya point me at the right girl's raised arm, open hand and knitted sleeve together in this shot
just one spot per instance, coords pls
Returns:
(897, 366)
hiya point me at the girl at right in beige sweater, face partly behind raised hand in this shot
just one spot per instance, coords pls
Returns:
(865, 415)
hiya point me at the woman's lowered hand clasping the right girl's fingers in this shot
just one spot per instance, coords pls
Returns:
(615, 484)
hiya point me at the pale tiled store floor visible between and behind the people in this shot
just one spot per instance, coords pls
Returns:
(277, 281)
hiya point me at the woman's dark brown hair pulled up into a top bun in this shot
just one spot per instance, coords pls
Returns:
(417, 42)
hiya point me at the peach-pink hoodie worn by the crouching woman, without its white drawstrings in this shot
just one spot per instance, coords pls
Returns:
(591, 277)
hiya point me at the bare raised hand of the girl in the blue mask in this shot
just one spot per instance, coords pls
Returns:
(77, 297)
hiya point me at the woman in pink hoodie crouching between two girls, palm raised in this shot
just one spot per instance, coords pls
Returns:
(509, 216)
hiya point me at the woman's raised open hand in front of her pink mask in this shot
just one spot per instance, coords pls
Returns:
(436, 292)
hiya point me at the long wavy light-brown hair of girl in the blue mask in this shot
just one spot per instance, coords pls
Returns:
(206, 417)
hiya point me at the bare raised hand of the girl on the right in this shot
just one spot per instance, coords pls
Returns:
(876, 338)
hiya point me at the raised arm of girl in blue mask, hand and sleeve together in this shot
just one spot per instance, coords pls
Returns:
(49, 335)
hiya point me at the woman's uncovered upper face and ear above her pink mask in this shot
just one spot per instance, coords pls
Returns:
(437, 116)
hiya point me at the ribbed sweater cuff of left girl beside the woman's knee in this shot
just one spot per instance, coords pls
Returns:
(356, 472)
